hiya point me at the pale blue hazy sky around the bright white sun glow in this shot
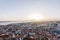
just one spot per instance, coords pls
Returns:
(17, 10)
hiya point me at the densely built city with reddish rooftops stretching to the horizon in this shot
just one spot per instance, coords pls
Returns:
(48, 30)
